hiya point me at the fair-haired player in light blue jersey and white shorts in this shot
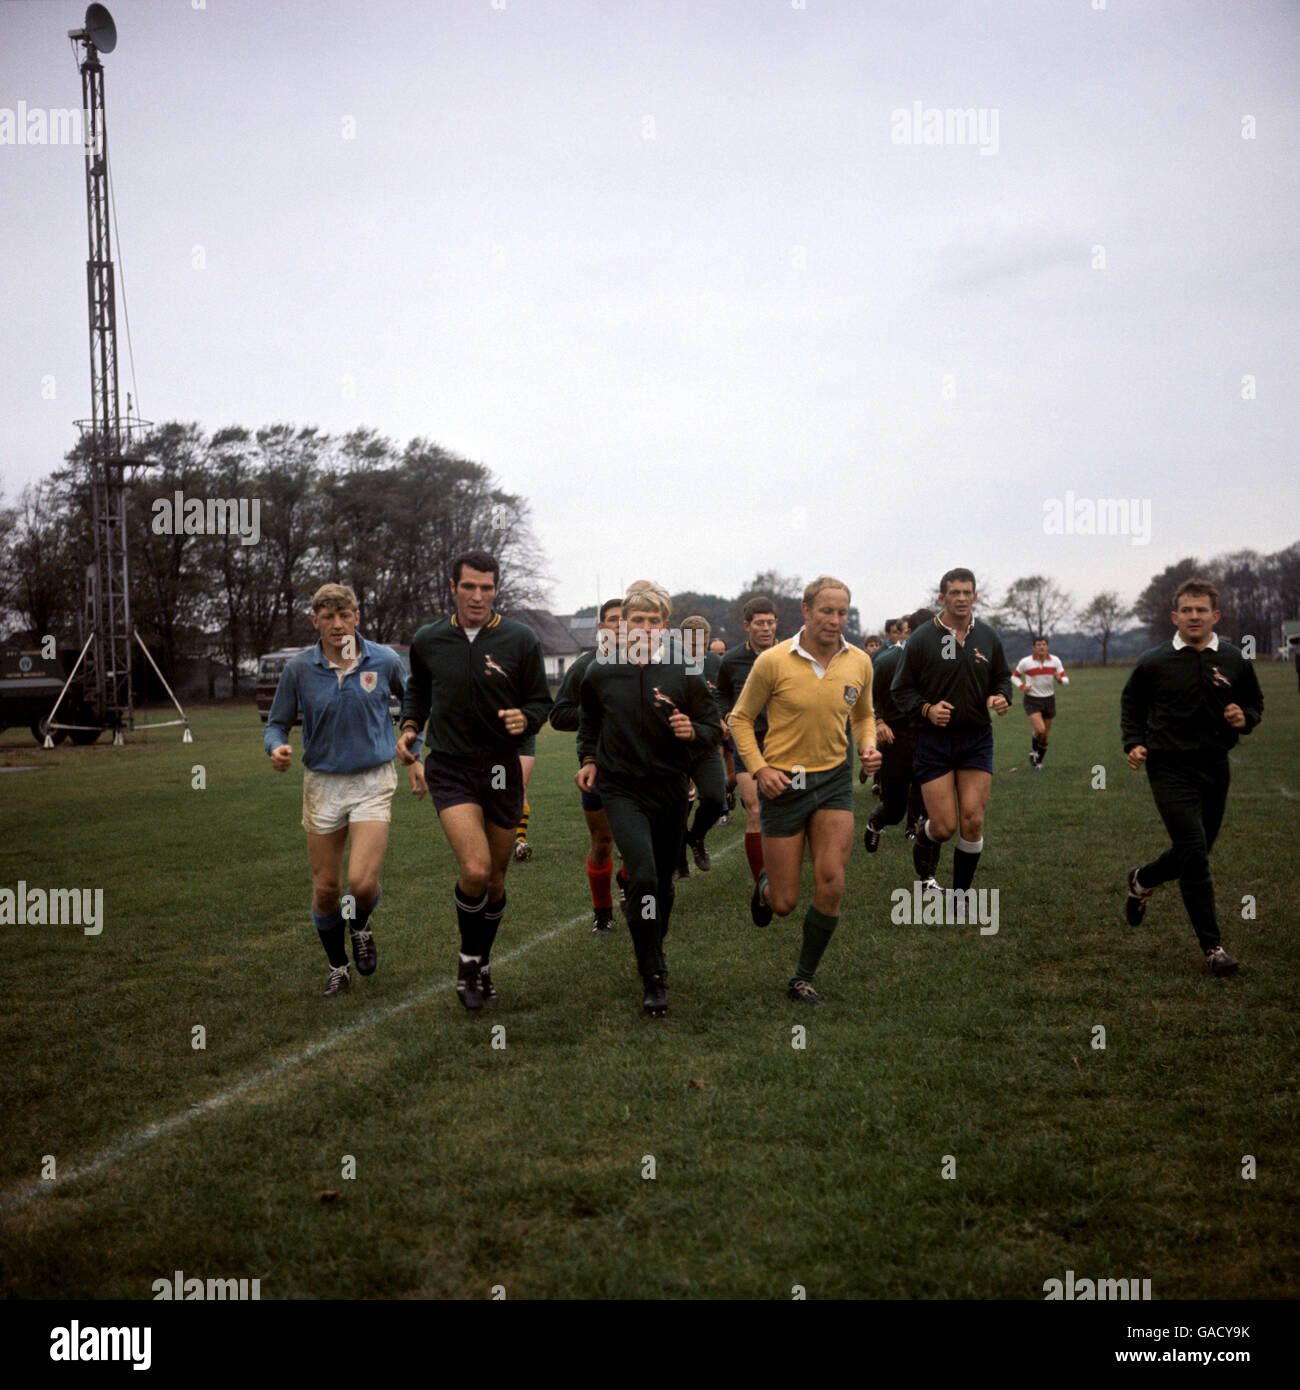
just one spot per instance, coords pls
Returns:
(341, 689)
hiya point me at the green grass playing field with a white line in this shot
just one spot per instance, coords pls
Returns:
(523, 1166)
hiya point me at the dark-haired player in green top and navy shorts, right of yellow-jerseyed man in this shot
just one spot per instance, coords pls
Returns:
(953, 672)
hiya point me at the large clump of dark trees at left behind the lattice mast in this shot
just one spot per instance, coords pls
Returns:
(358, 509)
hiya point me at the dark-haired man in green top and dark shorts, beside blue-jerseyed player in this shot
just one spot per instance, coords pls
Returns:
(480, 683)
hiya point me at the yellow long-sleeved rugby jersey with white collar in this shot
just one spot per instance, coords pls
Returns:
(806, 711)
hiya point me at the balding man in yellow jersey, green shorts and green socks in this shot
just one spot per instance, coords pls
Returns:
(807, 685)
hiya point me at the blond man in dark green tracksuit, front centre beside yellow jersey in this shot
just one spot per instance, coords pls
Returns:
(644, 712)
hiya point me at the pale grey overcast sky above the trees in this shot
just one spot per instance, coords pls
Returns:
(693, 277)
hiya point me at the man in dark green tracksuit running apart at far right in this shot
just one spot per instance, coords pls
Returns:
(1183, 710)
